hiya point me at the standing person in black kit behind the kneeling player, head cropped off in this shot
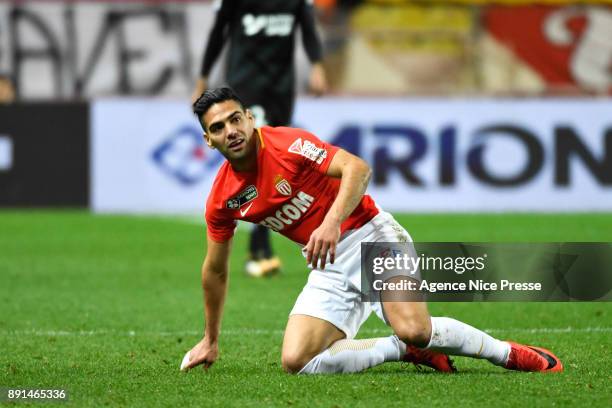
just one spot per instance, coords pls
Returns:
(260, 64)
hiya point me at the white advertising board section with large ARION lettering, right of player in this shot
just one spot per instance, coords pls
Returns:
(475, 155)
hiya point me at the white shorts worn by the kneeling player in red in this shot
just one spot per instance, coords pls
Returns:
(333, 294)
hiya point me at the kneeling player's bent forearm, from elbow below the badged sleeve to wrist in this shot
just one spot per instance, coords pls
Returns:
(354, 182)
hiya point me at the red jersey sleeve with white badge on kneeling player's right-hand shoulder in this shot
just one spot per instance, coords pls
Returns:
(308, 151)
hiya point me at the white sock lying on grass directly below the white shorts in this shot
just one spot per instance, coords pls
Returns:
(351, 356)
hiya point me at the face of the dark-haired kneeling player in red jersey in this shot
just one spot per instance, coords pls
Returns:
(229, 129)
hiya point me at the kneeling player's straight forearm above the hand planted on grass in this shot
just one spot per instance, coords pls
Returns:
(214, 285)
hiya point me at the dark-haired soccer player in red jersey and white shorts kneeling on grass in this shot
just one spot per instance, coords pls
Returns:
(313, 193)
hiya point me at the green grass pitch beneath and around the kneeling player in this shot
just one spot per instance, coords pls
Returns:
(106, 306)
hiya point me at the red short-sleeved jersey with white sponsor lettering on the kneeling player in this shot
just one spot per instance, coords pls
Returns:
(288, 193)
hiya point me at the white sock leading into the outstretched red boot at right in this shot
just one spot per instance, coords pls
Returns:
(453, 337)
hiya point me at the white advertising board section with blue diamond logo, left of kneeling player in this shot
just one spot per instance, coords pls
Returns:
(149, 157)
